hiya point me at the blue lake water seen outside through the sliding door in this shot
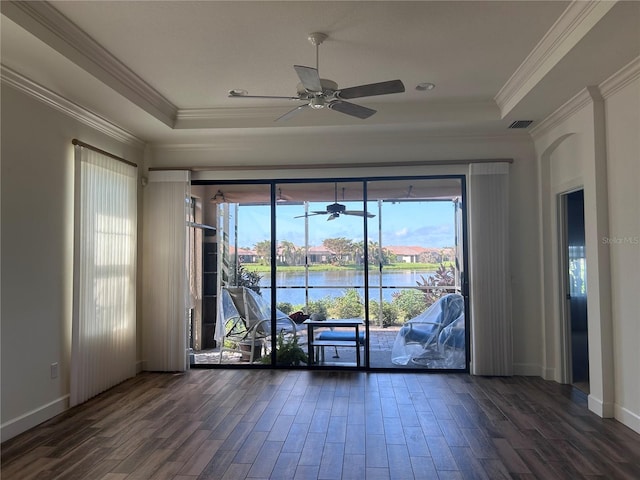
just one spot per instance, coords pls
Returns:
(334, 283)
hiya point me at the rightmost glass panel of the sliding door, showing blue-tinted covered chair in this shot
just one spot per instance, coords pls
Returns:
(412, 251)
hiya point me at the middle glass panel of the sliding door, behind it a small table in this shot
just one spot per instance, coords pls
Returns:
(320, 264)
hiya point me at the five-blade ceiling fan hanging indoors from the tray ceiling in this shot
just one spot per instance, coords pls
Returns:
(320, 92)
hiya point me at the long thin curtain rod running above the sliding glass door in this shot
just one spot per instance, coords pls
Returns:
(424, 163)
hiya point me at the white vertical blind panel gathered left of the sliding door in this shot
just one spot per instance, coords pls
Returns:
(165, 266)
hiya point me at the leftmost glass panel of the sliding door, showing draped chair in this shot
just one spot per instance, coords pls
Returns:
(244, 260)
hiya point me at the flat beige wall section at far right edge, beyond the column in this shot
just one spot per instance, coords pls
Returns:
(622, 110)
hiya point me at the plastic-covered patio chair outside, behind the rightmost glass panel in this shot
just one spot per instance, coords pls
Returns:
(422, 340)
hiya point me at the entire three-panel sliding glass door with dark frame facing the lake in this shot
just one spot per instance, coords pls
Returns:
(379, 261)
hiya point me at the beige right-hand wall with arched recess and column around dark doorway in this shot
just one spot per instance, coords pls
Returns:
(592, 142)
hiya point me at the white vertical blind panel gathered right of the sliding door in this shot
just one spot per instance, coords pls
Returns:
(490, 294)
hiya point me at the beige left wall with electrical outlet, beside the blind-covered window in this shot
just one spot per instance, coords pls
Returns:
(37, 250)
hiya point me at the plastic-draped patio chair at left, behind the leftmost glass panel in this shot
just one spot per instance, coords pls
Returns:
(245, 321)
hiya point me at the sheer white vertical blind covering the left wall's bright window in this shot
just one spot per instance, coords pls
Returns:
(103, 349)
